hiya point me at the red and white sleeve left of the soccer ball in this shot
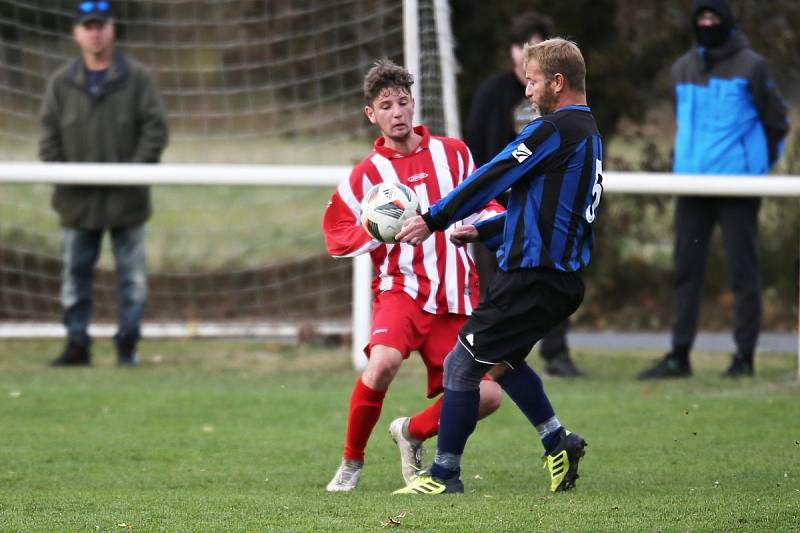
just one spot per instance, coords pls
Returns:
(344, 234)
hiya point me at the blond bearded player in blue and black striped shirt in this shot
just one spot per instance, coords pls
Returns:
(543, 241)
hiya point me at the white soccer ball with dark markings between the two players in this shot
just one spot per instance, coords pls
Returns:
(384, 209)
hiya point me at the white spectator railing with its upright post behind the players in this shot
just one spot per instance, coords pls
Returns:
(330, 176)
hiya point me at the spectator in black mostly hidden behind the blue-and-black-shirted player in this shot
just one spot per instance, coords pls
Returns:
(498, 113)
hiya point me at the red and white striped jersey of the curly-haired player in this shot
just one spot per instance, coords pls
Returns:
(438, 275)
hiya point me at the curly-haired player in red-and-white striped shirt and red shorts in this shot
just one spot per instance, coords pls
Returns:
(423, 294)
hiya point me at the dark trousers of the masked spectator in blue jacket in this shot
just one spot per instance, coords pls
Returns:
(694, 221)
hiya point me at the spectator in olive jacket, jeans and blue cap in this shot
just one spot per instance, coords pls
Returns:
(102, 107)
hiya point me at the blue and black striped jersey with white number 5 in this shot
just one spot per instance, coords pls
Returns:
(553, 169)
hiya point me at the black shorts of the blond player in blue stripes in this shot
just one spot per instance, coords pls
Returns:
(520, 307)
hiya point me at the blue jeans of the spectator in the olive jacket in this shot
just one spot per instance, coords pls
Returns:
(81, 250)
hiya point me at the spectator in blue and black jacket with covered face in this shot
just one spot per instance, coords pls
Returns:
(730, 119)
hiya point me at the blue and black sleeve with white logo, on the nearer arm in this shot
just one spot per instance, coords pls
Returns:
(533, 145)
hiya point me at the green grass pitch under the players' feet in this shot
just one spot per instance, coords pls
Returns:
(243, 436)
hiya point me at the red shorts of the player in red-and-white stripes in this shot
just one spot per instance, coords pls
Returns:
(398, 322)
